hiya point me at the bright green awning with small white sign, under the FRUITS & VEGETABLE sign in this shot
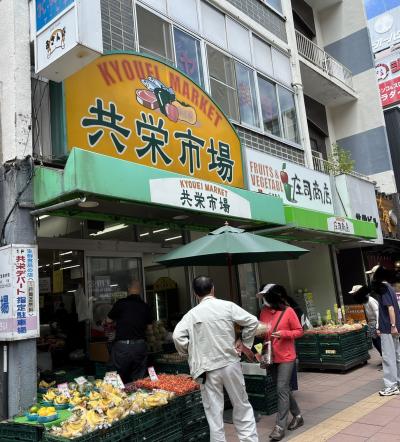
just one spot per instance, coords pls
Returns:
(312, 226)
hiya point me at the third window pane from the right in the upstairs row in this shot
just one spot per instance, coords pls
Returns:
(246, 95)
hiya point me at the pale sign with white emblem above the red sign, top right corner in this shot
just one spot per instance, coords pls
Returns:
(384, 30)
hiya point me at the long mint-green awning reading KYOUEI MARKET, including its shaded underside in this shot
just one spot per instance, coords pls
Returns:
(131, 192)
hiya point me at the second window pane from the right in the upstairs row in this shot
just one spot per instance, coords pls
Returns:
(269, 107)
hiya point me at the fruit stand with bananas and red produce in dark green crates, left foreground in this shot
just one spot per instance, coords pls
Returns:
(173, 414)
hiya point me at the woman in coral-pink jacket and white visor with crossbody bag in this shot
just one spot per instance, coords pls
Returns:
(283, 327)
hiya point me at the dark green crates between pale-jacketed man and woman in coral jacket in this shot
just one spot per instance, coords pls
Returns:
(260, 388)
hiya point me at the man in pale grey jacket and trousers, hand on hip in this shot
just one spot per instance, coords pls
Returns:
(206, 334)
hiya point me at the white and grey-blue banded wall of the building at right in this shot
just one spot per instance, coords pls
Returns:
(358, 126)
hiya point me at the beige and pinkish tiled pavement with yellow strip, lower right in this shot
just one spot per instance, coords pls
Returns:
(340, 408)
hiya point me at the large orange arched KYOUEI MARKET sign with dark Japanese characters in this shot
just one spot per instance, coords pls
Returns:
(138, 109)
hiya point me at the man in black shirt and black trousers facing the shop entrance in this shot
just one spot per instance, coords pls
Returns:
(129, 351)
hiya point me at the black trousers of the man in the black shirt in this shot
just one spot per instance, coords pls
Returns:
(130, 360)
